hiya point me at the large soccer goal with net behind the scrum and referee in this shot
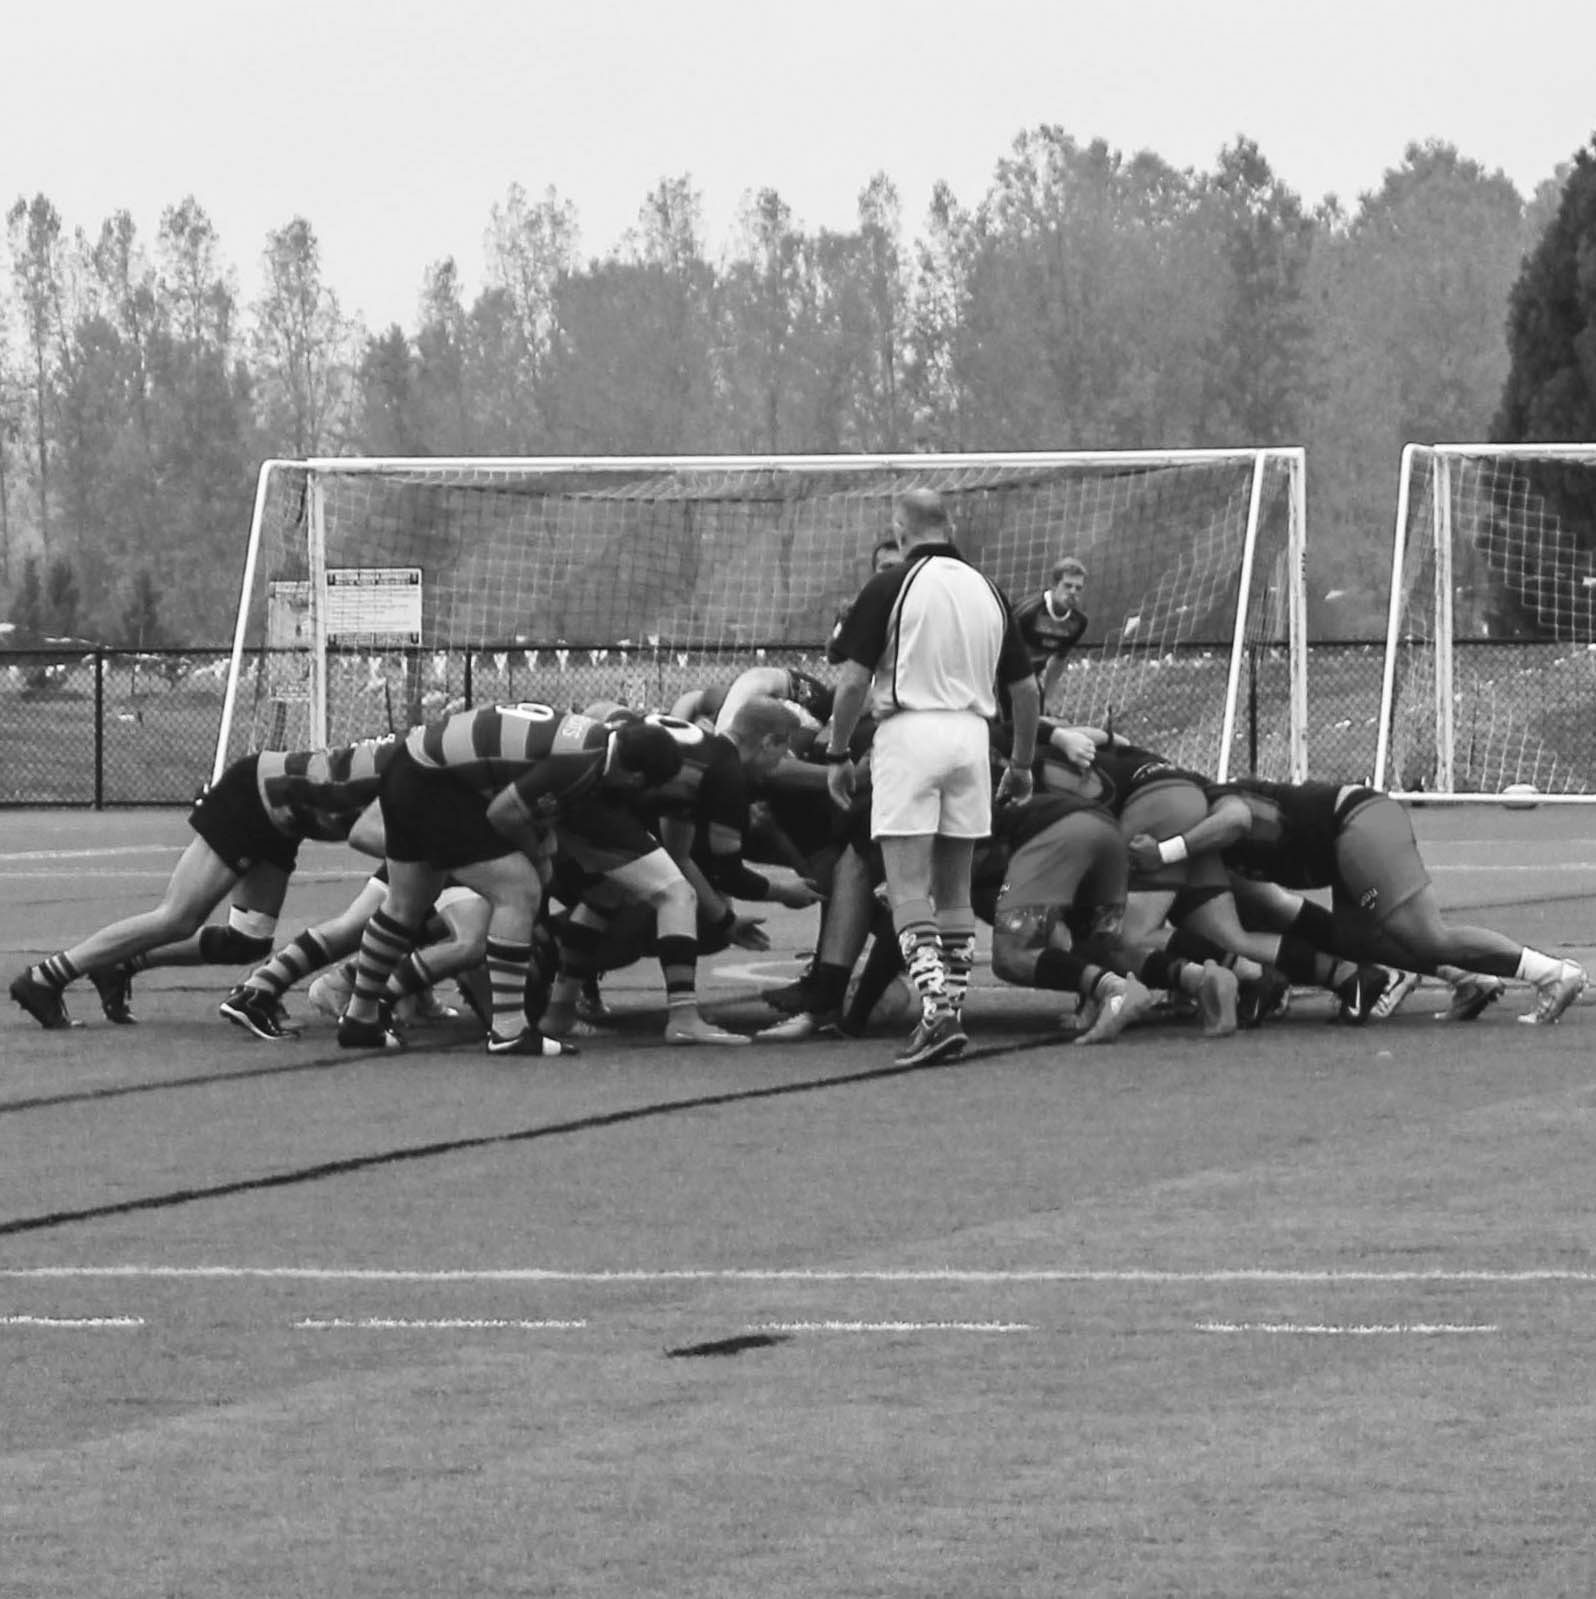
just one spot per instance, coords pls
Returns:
(380, 592)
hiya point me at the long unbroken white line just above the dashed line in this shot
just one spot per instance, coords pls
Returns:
(940, 1275)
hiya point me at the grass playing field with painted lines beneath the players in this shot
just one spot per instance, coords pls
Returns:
(1298, 1314)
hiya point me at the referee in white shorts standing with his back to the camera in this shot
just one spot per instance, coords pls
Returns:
(928, 645)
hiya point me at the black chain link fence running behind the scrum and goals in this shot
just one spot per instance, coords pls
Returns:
(116, 728)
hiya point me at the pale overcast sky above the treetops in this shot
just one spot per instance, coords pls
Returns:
(396, 126)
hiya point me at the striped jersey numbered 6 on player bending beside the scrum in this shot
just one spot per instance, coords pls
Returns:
(551, 759)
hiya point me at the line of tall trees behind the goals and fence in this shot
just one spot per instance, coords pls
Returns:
(1088, 301)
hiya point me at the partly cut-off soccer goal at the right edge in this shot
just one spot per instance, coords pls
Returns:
(1490, 679)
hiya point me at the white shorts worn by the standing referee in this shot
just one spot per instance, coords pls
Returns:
(932, 773)
